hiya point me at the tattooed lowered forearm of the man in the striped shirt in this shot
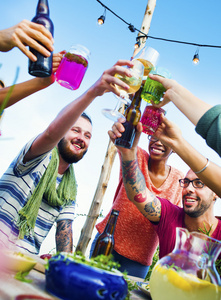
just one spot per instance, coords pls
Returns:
(64, 237)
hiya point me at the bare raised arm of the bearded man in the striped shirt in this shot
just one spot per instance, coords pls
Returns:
(48, 139)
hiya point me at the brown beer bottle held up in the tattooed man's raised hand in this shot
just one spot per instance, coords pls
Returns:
(132, 115)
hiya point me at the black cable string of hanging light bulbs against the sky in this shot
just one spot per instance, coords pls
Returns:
(131, 27)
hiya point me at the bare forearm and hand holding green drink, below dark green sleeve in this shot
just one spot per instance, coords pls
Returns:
(191, 106)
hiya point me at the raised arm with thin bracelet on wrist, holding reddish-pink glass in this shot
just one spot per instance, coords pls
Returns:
(169, 134)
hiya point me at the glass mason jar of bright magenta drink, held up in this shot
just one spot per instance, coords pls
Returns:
(73, 66)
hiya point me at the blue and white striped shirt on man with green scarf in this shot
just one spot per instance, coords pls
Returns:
(16, 186)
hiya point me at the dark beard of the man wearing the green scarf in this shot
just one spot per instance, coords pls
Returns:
(67, 155)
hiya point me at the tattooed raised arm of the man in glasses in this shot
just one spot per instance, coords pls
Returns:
(134, 181)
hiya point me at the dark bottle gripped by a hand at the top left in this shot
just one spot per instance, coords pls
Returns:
(43, 66)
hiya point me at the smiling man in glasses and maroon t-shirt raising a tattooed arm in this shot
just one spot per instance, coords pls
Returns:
(198, 200)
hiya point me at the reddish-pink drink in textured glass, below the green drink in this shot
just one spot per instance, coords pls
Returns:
(151, 119)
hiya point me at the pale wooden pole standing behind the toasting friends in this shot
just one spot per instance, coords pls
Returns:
(94, 210)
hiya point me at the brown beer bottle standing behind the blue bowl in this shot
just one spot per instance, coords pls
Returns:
(105, 242)
